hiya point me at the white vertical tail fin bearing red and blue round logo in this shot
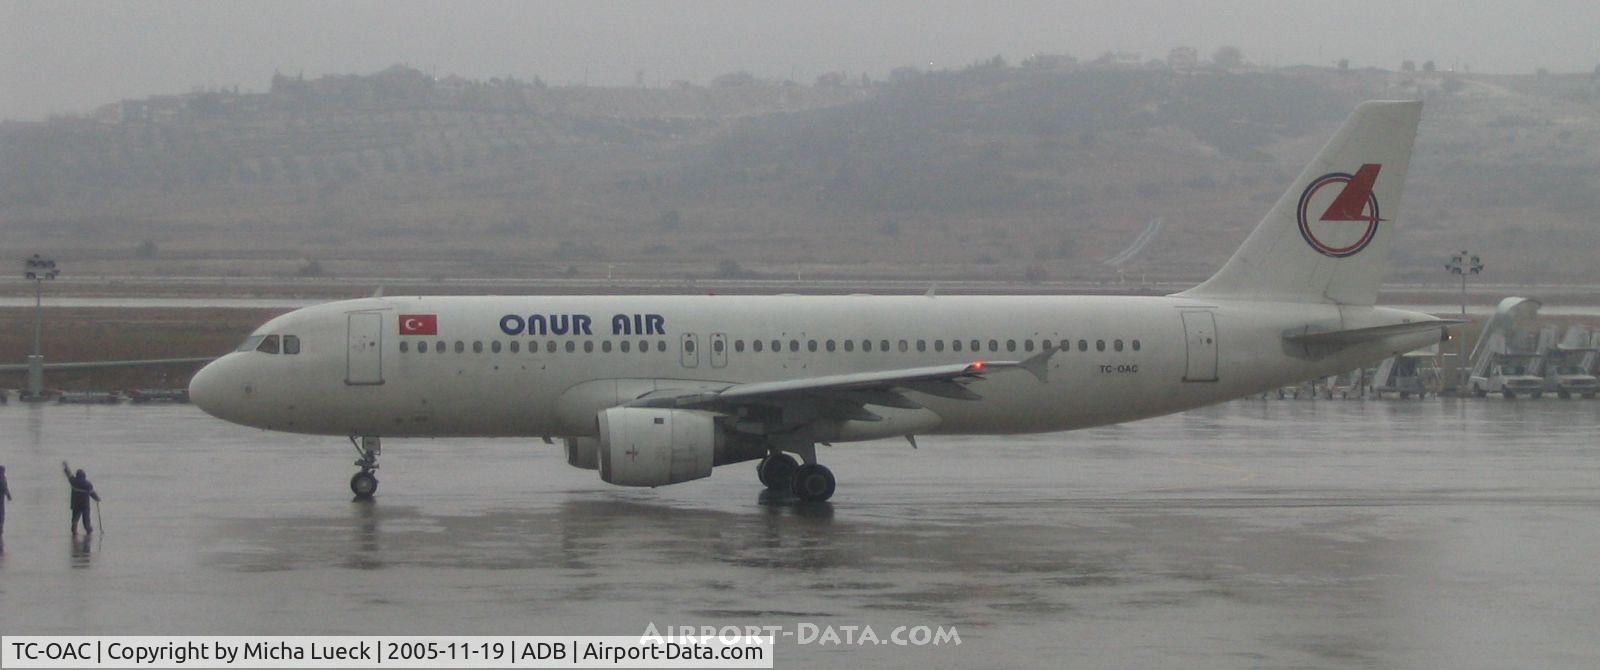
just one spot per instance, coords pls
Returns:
(1327, 239)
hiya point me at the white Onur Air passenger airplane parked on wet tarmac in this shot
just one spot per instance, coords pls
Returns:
(655, 391)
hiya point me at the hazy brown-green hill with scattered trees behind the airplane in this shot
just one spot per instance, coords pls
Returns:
(1041, 170)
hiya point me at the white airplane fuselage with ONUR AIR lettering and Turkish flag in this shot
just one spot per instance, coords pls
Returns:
(1126, 359)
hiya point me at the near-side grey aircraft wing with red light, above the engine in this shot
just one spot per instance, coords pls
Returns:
(847, 396)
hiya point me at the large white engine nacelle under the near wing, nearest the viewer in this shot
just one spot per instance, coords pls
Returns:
(647, 447)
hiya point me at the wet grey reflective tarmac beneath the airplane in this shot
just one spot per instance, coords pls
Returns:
(1442, 533)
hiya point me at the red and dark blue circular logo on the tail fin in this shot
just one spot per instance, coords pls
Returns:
(1350, 212)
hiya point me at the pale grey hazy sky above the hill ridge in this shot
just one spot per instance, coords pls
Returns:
(71, 57)
